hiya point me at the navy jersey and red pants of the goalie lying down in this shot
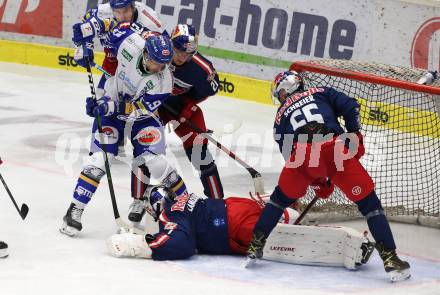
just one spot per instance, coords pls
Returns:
(191, 225)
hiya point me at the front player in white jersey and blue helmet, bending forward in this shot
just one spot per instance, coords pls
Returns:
(129, 106)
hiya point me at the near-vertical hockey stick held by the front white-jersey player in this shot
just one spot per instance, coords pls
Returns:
(119, 222)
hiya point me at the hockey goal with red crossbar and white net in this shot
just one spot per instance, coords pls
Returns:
(400, 124)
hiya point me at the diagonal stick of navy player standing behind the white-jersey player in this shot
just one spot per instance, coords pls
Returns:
(256, 176)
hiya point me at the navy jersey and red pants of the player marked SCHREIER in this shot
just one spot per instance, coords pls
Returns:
(312, 112)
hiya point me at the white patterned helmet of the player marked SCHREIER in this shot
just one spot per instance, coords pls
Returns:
(284, 84)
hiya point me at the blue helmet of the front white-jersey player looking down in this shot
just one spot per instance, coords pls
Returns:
(159, 48)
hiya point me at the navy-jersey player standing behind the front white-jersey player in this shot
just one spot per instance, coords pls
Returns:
(195, 79)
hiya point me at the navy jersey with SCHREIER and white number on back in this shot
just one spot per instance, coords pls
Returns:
(322, 105)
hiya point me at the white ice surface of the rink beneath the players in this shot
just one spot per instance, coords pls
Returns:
(44, 135)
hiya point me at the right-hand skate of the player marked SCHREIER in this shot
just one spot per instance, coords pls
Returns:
(397, 269)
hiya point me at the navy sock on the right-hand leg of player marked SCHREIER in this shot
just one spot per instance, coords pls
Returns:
(371, 208)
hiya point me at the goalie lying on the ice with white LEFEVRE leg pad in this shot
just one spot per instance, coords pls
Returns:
(190, 224)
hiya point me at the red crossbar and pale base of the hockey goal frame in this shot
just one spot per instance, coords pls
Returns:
(313, 66)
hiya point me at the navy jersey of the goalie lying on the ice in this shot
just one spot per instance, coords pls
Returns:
(191, 225)
